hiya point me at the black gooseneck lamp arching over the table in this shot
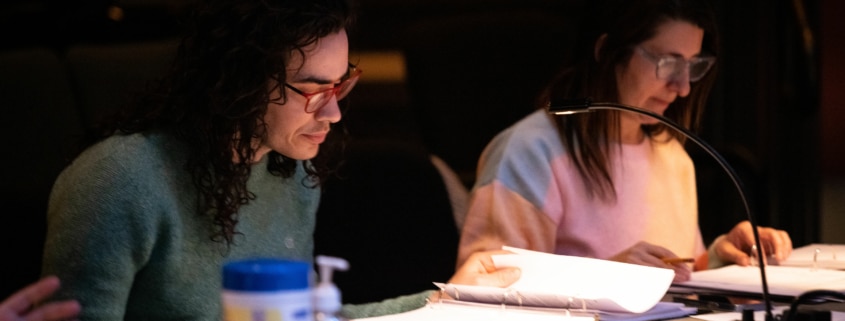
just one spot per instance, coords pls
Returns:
(573, 106)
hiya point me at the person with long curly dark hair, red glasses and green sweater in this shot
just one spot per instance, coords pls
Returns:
(220, 160)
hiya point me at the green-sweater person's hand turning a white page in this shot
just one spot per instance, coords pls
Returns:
(480, 270)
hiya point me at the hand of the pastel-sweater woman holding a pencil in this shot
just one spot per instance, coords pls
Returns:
(649, 254)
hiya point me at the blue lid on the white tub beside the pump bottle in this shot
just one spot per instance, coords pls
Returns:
(264, 274)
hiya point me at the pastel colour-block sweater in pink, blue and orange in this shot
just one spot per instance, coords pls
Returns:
(529, 194)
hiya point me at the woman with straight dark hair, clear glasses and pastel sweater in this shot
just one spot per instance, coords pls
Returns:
(613, 185)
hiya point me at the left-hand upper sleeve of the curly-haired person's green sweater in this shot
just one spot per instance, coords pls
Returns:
(98, 236)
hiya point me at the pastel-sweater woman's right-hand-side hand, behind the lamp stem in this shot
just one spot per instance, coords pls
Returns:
(737, 244)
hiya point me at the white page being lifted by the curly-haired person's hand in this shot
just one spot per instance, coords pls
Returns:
(560, 281)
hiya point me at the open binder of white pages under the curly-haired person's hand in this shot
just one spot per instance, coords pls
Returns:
(555, 286)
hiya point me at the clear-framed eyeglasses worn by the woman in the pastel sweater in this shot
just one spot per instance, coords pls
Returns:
(672, 67)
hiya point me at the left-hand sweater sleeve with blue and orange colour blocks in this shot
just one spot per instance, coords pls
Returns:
(514, 178)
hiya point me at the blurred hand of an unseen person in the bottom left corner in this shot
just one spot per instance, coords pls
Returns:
(24, 304)
